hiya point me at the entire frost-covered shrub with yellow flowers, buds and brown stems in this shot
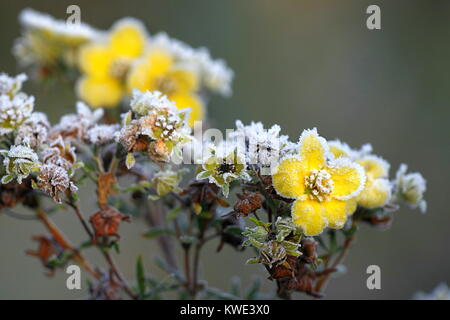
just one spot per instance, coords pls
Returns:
(297, 202)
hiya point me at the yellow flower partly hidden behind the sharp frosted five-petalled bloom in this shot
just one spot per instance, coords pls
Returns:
(377, 189)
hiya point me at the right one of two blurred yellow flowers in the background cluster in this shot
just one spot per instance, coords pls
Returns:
(159, 72)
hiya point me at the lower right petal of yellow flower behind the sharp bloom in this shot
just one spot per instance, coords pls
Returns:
(375, 194)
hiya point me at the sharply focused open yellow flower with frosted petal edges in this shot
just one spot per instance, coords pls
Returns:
(322, 189)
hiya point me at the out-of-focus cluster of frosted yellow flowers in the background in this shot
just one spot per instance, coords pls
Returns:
(112, 63)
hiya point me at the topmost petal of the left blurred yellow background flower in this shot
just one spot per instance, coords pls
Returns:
(127, 38)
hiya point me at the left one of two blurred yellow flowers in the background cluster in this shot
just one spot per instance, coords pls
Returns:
(105, 65)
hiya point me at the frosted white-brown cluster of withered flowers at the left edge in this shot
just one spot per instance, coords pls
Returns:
(33, 146)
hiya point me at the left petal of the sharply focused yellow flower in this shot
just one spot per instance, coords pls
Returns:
(288, 178)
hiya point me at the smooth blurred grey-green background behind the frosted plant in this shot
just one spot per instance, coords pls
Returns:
(300, 64)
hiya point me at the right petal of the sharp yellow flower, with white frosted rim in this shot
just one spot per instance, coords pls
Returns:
(348, 178)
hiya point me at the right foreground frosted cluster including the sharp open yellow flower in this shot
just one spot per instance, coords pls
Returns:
(327, 180)
